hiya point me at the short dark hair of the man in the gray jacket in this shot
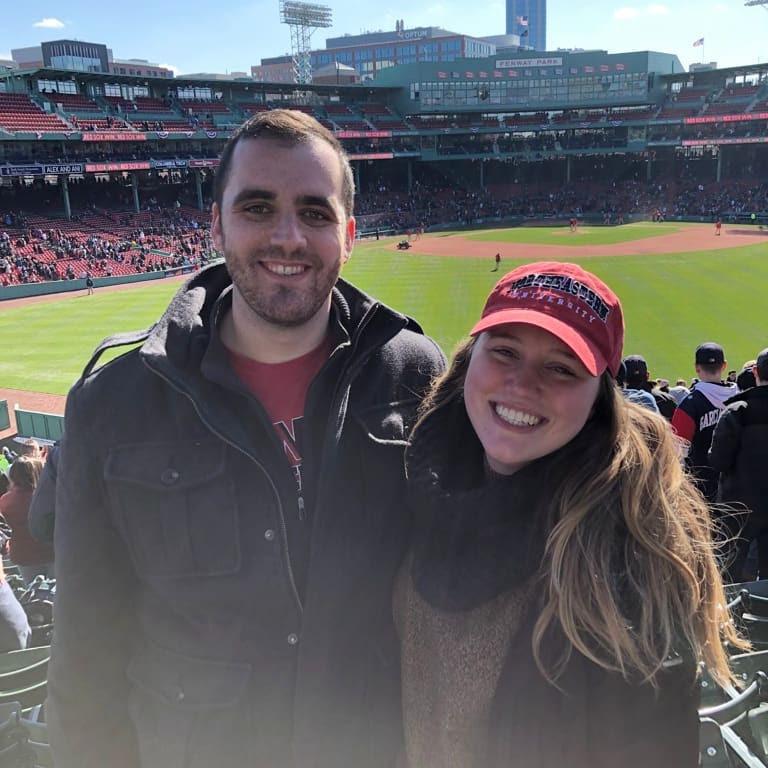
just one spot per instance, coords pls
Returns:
(291, 127)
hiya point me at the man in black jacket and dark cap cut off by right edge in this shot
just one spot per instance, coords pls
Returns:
(740, 453)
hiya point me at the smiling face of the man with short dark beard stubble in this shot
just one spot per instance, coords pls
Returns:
(282, 227)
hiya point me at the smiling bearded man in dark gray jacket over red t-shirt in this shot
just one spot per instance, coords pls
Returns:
(230, 508)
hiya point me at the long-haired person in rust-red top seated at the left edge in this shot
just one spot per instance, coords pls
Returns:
(32, 557)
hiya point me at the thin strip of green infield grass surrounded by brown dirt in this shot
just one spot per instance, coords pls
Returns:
(582, 236)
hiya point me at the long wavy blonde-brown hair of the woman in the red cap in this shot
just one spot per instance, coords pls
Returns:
(630, 572)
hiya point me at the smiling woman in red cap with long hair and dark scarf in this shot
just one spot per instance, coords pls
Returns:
(562, 583)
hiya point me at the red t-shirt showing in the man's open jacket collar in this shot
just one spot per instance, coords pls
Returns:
(282, 389)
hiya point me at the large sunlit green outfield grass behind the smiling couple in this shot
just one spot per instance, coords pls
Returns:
(672, 303)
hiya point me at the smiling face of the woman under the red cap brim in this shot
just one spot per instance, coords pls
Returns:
(526, 395)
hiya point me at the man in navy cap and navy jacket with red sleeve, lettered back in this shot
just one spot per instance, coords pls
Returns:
(696, 415)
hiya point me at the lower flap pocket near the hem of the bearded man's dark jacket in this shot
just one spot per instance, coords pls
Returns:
(188, 683)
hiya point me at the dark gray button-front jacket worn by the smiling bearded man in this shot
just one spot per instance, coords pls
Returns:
(181, 636)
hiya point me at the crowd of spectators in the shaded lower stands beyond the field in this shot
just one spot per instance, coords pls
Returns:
(103, 236)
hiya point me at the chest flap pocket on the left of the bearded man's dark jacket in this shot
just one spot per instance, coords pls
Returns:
(170, 466)
